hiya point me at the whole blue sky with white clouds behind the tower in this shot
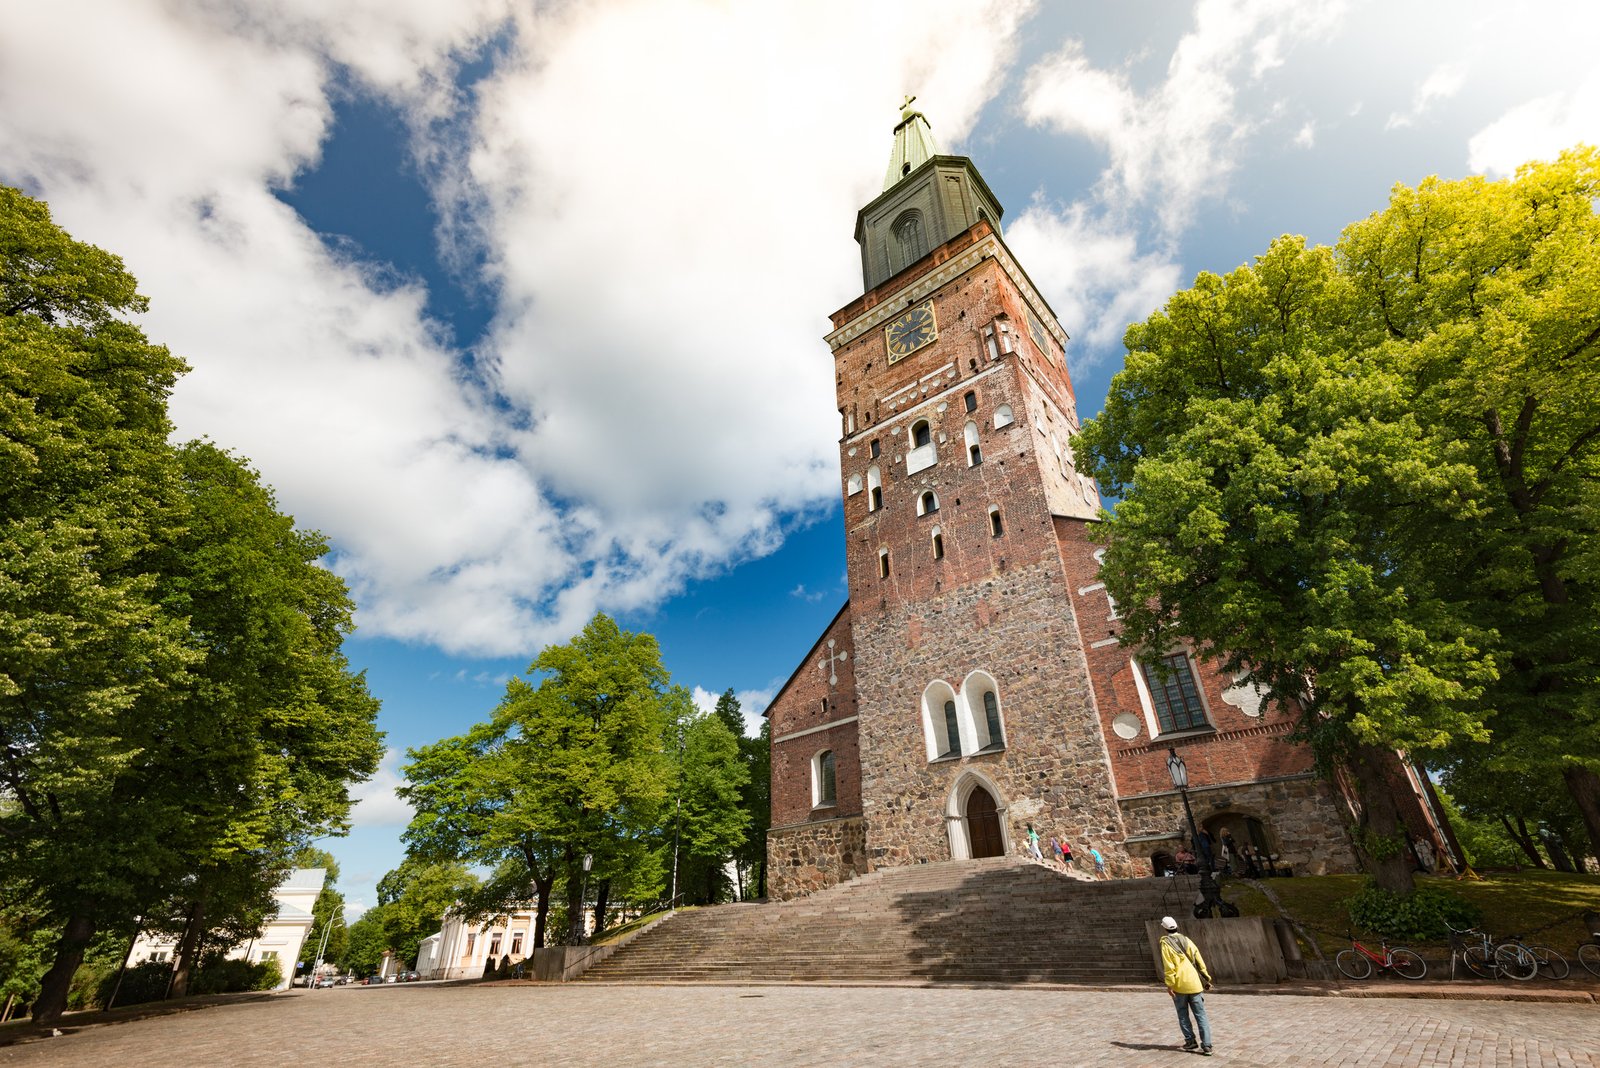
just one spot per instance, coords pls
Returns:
(524, 305)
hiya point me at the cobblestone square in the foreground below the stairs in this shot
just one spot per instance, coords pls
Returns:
(465, 1026)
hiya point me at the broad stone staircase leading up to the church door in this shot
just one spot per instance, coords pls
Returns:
(962, 922)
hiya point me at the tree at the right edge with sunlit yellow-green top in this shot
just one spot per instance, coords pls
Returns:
(1489, 295)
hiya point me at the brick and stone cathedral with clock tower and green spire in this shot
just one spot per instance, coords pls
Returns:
(974, 683)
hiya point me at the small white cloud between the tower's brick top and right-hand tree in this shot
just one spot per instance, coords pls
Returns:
(1092, 274)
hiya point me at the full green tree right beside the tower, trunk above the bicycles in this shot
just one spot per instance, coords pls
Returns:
(1282, 509)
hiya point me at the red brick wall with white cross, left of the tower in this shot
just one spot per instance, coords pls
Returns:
(798, 709)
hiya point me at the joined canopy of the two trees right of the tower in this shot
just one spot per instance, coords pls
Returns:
(1366, 477)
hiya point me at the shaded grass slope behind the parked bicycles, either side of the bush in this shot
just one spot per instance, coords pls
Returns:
(1513, 903)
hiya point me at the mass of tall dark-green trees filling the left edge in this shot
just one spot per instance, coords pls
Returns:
(175, 711)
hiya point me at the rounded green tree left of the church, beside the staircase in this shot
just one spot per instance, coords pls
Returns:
(567, 768)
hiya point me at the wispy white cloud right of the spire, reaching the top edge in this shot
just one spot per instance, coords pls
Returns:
(1178, 143)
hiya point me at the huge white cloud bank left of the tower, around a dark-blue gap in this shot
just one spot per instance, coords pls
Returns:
(655, 189)
